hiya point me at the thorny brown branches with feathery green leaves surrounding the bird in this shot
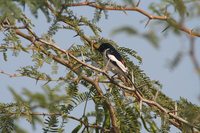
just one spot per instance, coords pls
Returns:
(81, 84)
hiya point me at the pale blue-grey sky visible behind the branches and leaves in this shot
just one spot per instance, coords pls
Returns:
(181, 82)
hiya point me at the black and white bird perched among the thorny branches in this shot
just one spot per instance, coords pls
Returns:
(113, 60)
